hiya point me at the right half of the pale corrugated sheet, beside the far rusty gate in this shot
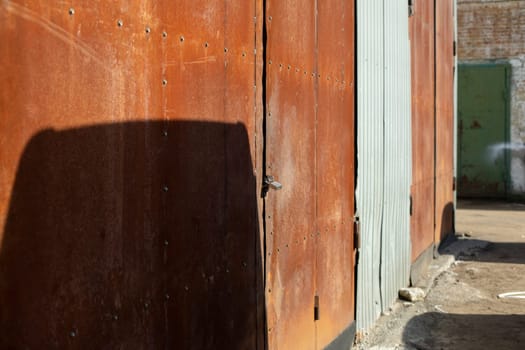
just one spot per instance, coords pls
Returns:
(395, 240)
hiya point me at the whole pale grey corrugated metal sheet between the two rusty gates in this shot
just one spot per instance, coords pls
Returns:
(384, 154)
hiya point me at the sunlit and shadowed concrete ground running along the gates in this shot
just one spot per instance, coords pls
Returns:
(462, 310)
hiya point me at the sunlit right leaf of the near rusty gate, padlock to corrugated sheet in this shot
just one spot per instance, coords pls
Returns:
(310, 150)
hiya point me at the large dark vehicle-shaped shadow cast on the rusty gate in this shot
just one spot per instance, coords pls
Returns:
(134, 236)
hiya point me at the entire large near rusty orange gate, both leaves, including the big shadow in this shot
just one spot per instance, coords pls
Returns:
(131, 168)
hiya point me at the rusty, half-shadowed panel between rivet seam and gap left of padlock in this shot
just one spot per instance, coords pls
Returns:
(211, 61)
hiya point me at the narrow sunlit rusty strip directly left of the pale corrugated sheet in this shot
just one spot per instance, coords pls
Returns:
(335, 169)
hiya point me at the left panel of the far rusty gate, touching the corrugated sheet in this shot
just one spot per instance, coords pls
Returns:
(422, 56)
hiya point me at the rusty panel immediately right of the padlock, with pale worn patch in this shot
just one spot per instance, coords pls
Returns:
(290, 221)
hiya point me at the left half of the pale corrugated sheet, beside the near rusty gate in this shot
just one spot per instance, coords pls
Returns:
(370, 146)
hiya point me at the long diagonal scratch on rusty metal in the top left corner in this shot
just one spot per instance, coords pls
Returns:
(53, 29)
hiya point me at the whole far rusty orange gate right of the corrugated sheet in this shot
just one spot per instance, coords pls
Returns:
(432, 39)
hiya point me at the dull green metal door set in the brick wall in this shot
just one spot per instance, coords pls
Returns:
(483, 115)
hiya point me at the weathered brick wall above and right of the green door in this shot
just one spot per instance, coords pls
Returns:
(494, 30)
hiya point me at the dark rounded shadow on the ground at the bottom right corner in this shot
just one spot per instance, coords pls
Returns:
(434, 330)
